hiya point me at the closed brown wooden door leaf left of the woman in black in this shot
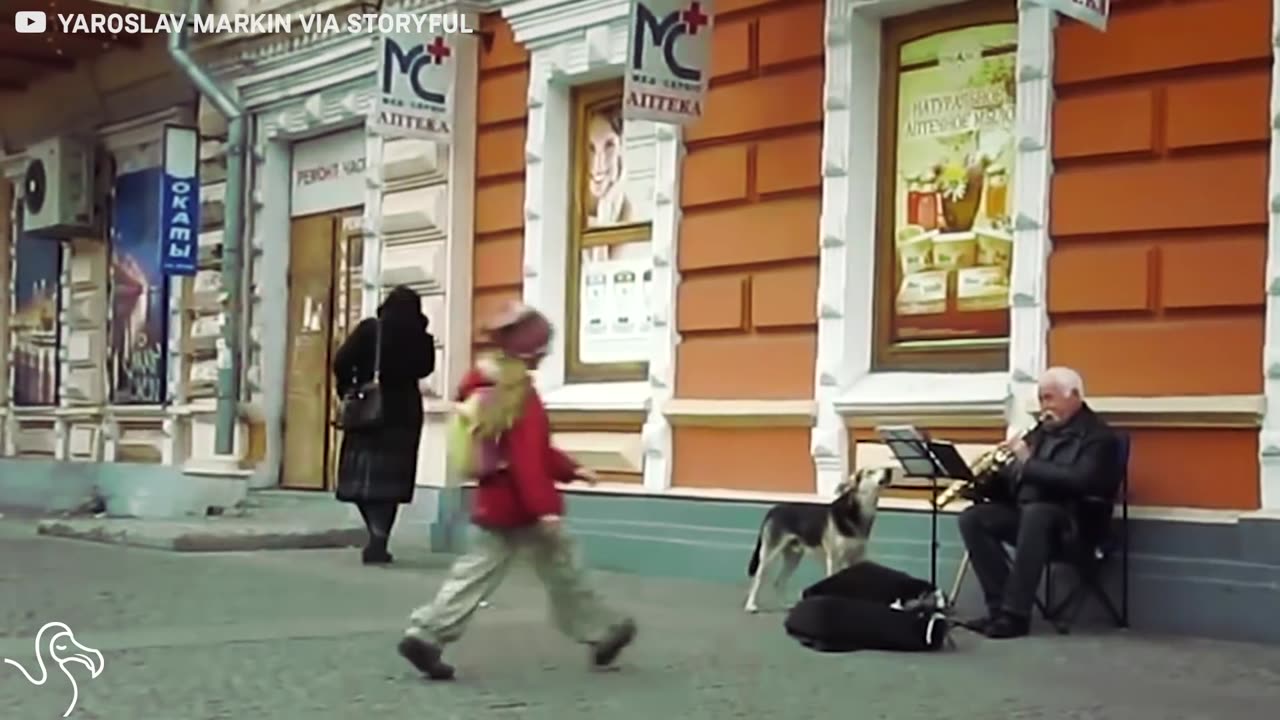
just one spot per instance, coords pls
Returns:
(308, 399)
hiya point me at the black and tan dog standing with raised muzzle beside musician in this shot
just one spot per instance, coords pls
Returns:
(838, 531)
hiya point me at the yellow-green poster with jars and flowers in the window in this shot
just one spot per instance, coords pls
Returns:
(956, 144)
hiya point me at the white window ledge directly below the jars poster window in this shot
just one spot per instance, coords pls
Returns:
(927, 394)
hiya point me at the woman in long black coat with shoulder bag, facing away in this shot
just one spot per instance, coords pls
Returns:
(377, 468)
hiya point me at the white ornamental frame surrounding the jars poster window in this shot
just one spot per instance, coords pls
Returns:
(844, 382)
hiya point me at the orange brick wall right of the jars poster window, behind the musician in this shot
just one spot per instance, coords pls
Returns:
(1159, 220)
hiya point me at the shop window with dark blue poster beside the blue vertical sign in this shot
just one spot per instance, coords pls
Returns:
(138, 358)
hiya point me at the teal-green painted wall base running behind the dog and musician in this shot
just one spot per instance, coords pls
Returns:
(1220, 581)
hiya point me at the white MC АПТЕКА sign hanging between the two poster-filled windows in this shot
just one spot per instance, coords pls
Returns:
(669, 61)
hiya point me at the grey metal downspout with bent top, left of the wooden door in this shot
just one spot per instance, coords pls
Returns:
(234, 231)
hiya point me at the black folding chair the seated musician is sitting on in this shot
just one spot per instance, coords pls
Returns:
(1089, 552)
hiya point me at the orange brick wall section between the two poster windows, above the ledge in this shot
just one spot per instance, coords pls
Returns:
(752, 197)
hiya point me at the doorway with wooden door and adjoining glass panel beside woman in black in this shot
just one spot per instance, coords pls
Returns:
(324, 304)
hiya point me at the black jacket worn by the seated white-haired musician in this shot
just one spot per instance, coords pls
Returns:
(1071, 463)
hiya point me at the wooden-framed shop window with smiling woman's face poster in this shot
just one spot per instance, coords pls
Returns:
(609, 315)
